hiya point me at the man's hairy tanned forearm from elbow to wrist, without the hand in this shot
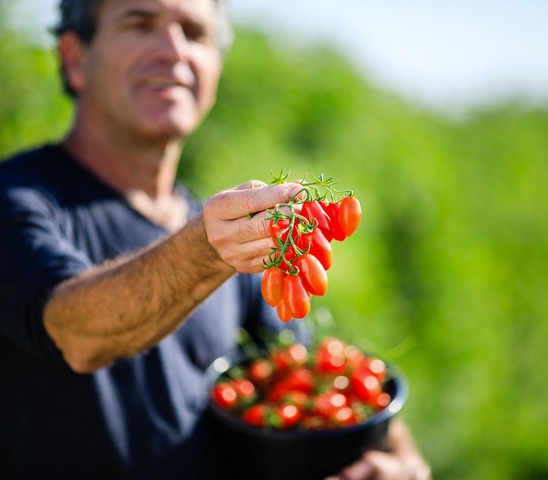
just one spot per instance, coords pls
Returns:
(125, 306)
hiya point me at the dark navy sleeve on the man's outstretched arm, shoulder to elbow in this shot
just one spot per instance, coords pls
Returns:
(35, 256)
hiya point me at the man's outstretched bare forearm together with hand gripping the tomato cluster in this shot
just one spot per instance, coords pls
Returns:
(127, 305)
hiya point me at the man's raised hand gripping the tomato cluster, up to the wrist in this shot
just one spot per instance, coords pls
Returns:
(235, 223)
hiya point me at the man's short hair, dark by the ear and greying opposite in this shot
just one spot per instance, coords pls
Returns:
(81, 16)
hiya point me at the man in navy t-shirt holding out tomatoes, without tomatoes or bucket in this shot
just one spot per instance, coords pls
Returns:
(116, 288)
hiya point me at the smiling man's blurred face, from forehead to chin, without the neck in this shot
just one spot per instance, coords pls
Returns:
(153, 67)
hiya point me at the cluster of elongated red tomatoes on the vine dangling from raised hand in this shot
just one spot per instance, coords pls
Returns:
(302, 252)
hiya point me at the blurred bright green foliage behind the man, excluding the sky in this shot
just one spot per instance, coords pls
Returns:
(446, 276)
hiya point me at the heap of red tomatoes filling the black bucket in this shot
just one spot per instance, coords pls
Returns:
(333, 385)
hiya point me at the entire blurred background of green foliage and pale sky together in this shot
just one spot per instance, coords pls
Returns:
(437, 116)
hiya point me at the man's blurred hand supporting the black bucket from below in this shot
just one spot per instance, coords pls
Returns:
(403, 462)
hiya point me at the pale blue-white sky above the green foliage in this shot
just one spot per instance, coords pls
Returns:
(448, 55)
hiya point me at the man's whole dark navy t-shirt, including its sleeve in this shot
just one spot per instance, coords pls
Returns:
(140, 418)
